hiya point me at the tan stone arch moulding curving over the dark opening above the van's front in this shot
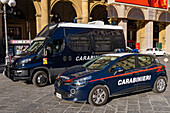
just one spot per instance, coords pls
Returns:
(74, 4)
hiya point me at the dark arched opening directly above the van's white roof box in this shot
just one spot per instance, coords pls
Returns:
(99, 12)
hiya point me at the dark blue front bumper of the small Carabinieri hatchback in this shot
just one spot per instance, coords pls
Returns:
(81, 92)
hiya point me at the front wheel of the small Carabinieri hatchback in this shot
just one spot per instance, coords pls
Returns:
(98, 96)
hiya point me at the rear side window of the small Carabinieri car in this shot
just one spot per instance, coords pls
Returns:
(144, 60)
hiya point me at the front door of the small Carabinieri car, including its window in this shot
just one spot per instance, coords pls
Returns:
(122, 81)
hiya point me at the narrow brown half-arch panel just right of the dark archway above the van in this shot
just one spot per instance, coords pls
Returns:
(112, 12)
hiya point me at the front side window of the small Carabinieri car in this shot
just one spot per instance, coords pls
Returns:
(127, 63)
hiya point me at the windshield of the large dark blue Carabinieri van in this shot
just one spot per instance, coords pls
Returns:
(35, 45)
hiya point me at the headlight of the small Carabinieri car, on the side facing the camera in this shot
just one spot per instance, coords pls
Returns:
(81, 81)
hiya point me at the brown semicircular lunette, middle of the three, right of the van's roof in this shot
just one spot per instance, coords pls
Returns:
(136, 13)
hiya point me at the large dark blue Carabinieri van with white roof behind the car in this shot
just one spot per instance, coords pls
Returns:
(63, 45)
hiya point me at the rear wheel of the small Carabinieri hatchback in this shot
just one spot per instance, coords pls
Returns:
(160, 85)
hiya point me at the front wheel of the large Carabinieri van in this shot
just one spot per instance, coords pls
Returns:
(40, 79)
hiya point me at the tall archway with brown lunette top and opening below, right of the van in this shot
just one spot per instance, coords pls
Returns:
(135, 27)
